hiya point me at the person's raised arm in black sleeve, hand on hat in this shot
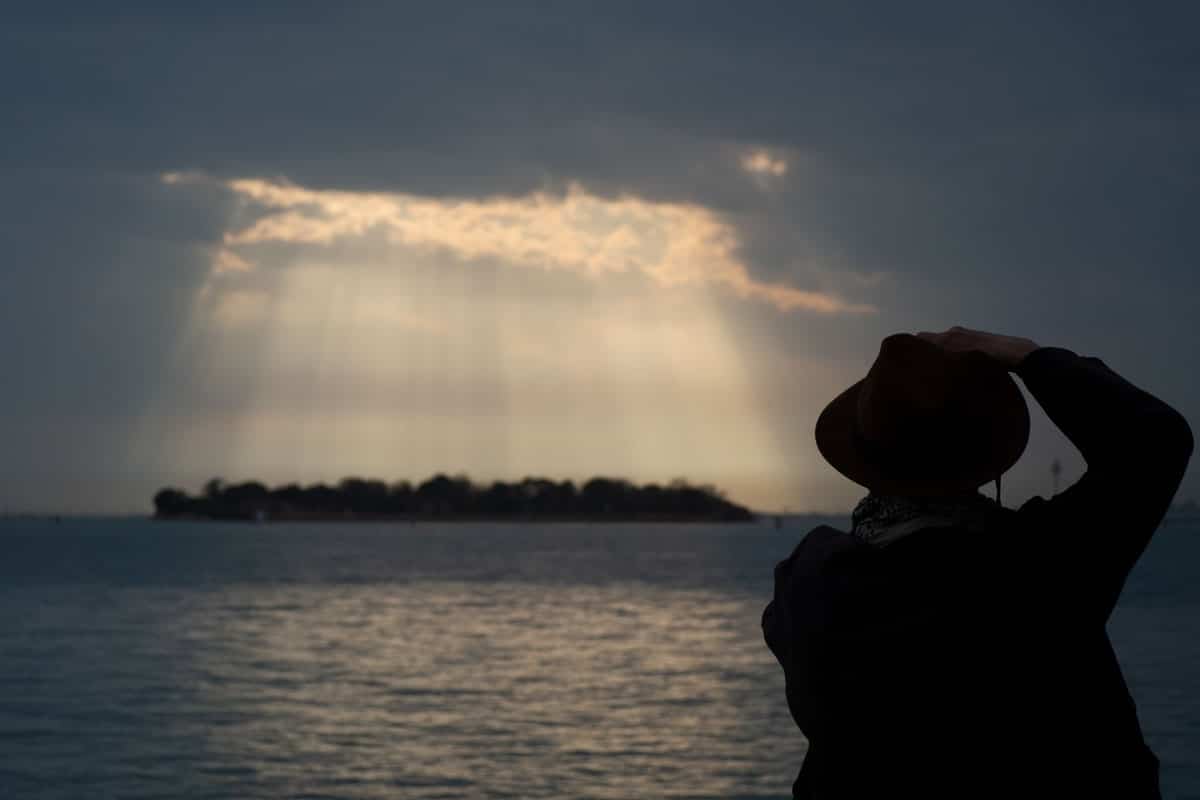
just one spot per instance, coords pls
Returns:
(1137, 449)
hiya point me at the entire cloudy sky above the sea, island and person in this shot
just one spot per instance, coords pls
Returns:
(302, 242)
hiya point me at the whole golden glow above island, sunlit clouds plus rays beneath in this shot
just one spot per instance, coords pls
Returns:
(369, 342)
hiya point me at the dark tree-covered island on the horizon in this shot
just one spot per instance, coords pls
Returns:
(443, 497)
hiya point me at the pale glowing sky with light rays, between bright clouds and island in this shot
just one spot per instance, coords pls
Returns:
(358, 369)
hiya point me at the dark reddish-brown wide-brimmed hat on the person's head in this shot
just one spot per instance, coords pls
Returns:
(926, 420)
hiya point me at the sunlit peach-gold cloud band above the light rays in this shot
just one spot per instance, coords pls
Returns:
(674, 244)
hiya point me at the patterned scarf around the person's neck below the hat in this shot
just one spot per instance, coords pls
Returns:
(881, 520)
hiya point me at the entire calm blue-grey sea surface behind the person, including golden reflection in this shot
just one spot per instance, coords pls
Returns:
(176, 660)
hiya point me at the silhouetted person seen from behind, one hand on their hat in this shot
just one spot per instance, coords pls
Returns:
(947, 647)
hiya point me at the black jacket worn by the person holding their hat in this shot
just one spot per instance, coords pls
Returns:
(956, 666)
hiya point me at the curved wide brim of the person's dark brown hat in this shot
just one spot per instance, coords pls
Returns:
(839, 447)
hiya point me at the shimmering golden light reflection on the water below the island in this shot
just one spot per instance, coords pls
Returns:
(493, 690)
